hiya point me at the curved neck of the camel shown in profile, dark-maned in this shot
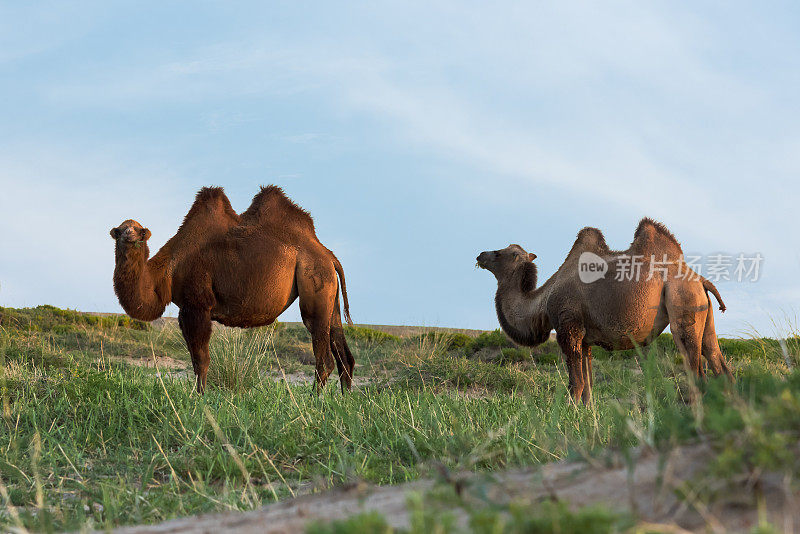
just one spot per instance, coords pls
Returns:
(521, 308)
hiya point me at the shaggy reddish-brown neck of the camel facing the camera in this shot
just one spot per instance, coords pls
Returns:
(143, 287)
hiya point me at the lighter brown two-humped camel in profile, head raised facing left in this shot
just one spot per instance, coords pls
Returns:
(596, 306)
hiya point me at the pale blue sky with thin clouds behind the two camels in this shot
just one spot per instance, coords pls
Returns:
(417, 133)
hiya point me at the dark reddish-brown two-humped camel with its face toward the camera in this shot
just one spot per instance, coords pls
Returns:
(239, 271)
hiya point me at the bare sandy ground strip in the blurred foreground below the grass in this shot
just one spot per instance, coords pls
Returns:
(649, 491)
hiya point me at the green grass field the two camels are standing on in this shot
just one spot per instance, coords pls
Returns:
(92, 439)
